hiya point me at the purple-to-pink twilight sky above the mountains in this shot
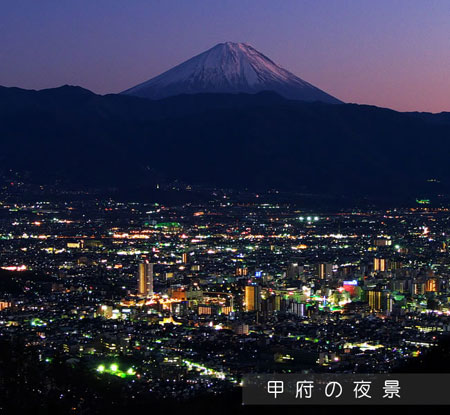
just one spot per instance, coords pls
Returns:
(390, 53)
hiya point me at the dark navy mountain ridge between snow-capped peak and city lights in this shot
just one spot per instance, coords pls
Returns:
(256, 141)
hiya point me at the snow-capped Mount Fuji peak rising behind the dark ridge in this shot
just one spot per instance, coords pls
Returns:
(229, 68)
